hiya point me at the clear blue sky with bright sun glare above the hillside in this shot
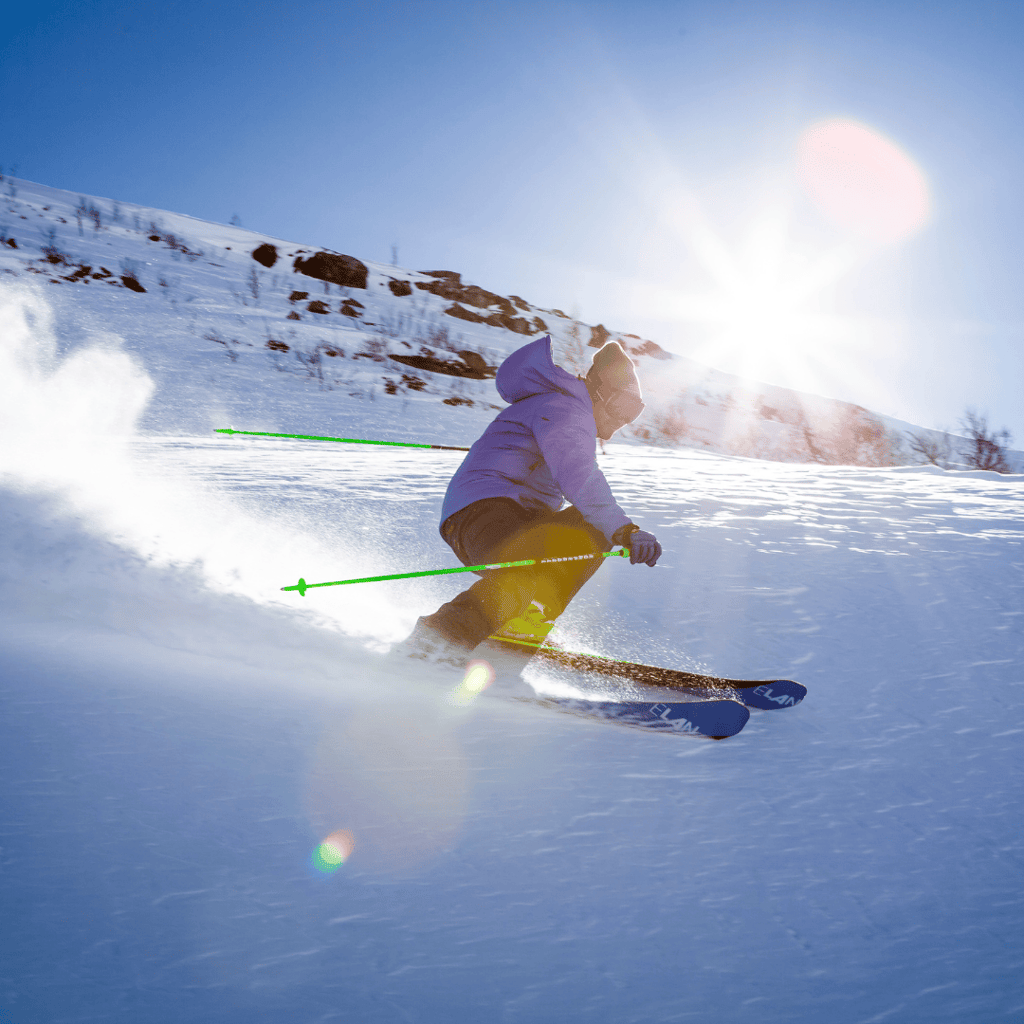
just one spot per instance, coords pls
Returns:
(633, 163)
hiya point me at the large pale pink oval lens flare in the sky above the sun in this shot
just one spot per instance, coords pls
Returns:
(862, 182)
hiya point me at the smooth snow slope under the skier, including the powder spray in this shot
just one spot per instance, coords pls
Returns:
(179, 735)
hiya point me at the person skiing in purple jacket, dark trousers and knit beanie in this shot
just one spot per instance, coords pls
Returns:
(505, 502)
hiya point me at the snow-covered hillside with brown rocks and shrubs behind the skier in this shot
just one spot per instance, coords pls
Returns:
(294, 339)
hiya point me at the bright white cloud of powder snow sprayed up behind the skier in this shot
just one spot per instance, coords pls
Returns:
(69, 430)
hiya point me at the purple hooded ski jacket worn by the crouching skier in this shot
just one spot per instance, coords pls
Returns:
(540, 451)
